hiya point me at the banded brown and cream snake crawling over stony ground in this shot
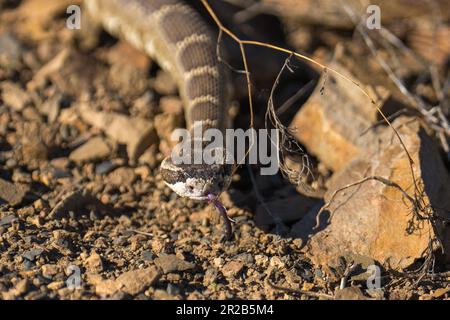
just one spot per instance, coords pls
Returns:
(175, 35)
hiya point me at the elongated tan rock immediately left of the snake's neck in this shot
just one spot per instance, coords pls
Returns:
(137, 133)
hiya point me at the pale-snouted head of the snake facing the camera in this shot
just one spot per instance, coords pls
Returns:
(196, 181)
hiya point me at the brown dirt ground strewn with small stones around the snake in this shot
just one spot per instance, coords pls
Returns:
(84, 215)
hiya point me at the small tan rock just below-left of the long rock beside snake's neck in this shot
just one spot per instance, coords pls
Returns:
(94, 149)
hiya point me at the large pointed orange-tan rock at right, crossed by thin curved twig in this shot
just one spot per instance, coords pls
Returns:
(375, 220)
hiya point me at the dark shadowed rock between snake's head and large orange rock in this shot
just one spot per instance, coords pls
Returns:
(287, 210)
